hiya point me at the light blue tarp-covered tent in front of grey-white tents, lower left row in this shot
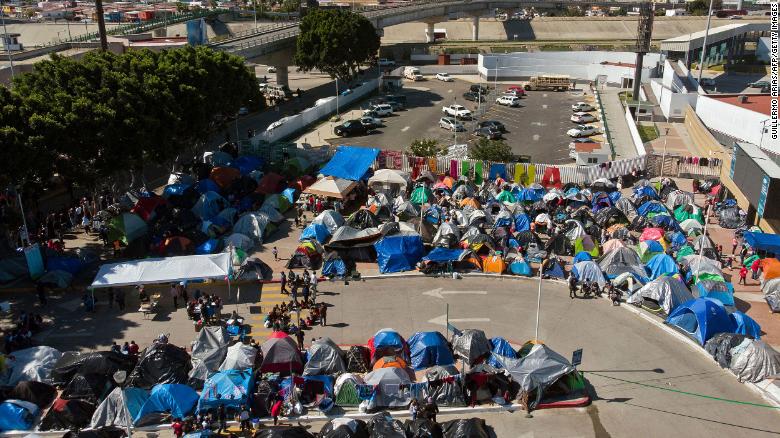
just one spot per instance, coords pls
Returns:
(230, 388)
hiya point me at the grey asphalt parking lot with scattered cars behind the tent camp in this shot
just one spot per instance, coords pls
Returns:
(536, 128)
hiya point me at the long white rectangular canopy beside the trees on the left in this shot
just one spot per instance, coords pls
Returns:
(163, 270)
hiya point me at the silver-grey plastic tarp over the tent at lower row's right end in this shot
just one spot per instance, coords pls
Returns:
(539, 369)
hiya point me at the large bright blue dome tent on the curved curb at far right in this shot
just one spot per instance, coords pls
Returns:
(702, 318)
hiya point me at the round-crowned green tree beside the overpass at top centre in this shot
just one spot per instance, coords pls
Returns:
(336, 42)
